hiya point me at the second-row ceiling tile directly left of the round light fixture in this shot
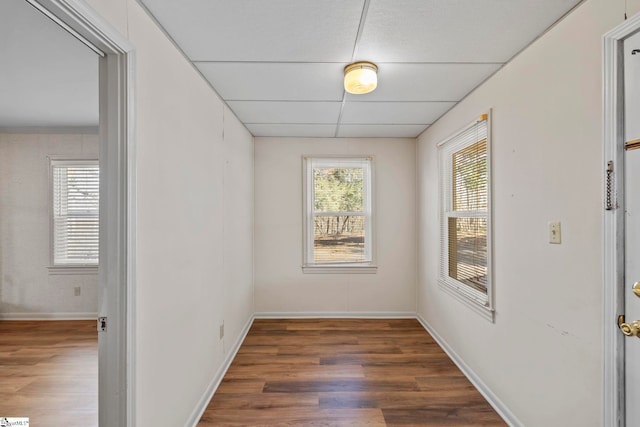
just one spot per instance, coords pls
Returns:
(275, 81)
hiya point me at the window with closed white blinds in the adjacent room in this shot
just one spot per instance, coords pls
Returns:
(75, 197)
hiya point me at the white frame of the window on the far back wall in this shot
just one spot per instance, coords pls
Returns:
(308, 266)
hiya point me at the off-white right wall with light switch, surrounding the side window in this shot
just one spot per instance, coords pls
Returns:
(543, 355)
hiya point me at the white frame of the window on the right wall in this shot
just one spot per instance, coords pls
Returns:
(478, 301)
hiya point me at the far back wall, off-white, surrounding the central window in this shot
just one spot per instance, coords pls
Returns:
(280, 285)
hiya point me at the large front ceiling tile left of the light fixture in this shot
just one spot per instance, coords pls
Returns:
(257, 30)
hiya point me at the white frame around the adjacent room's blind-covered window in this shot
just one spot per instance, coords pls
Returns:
(70, 268)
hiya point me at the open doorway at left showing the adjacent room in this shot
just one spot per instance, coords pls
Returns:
(48, 220)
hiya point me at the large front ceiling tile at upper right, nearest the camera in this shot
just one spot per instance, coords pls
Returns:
(454, 30)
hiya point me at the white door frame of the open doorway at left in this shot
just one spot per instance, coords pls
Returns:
(117, 205)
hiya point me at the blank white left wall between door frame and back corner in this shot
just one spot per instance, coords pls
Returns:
(194, 231)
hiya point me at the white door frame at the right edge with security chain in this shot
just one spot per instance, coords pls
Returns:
(613, 222)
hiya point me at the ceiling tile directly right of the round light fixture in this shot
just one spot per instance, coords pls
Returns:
(426, 82)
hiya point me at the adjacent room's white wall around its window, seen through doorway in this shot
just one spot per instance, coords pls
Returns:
(27, 289)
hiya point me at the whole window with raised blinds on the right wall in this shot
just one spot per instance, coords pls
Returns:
(465, 216)
